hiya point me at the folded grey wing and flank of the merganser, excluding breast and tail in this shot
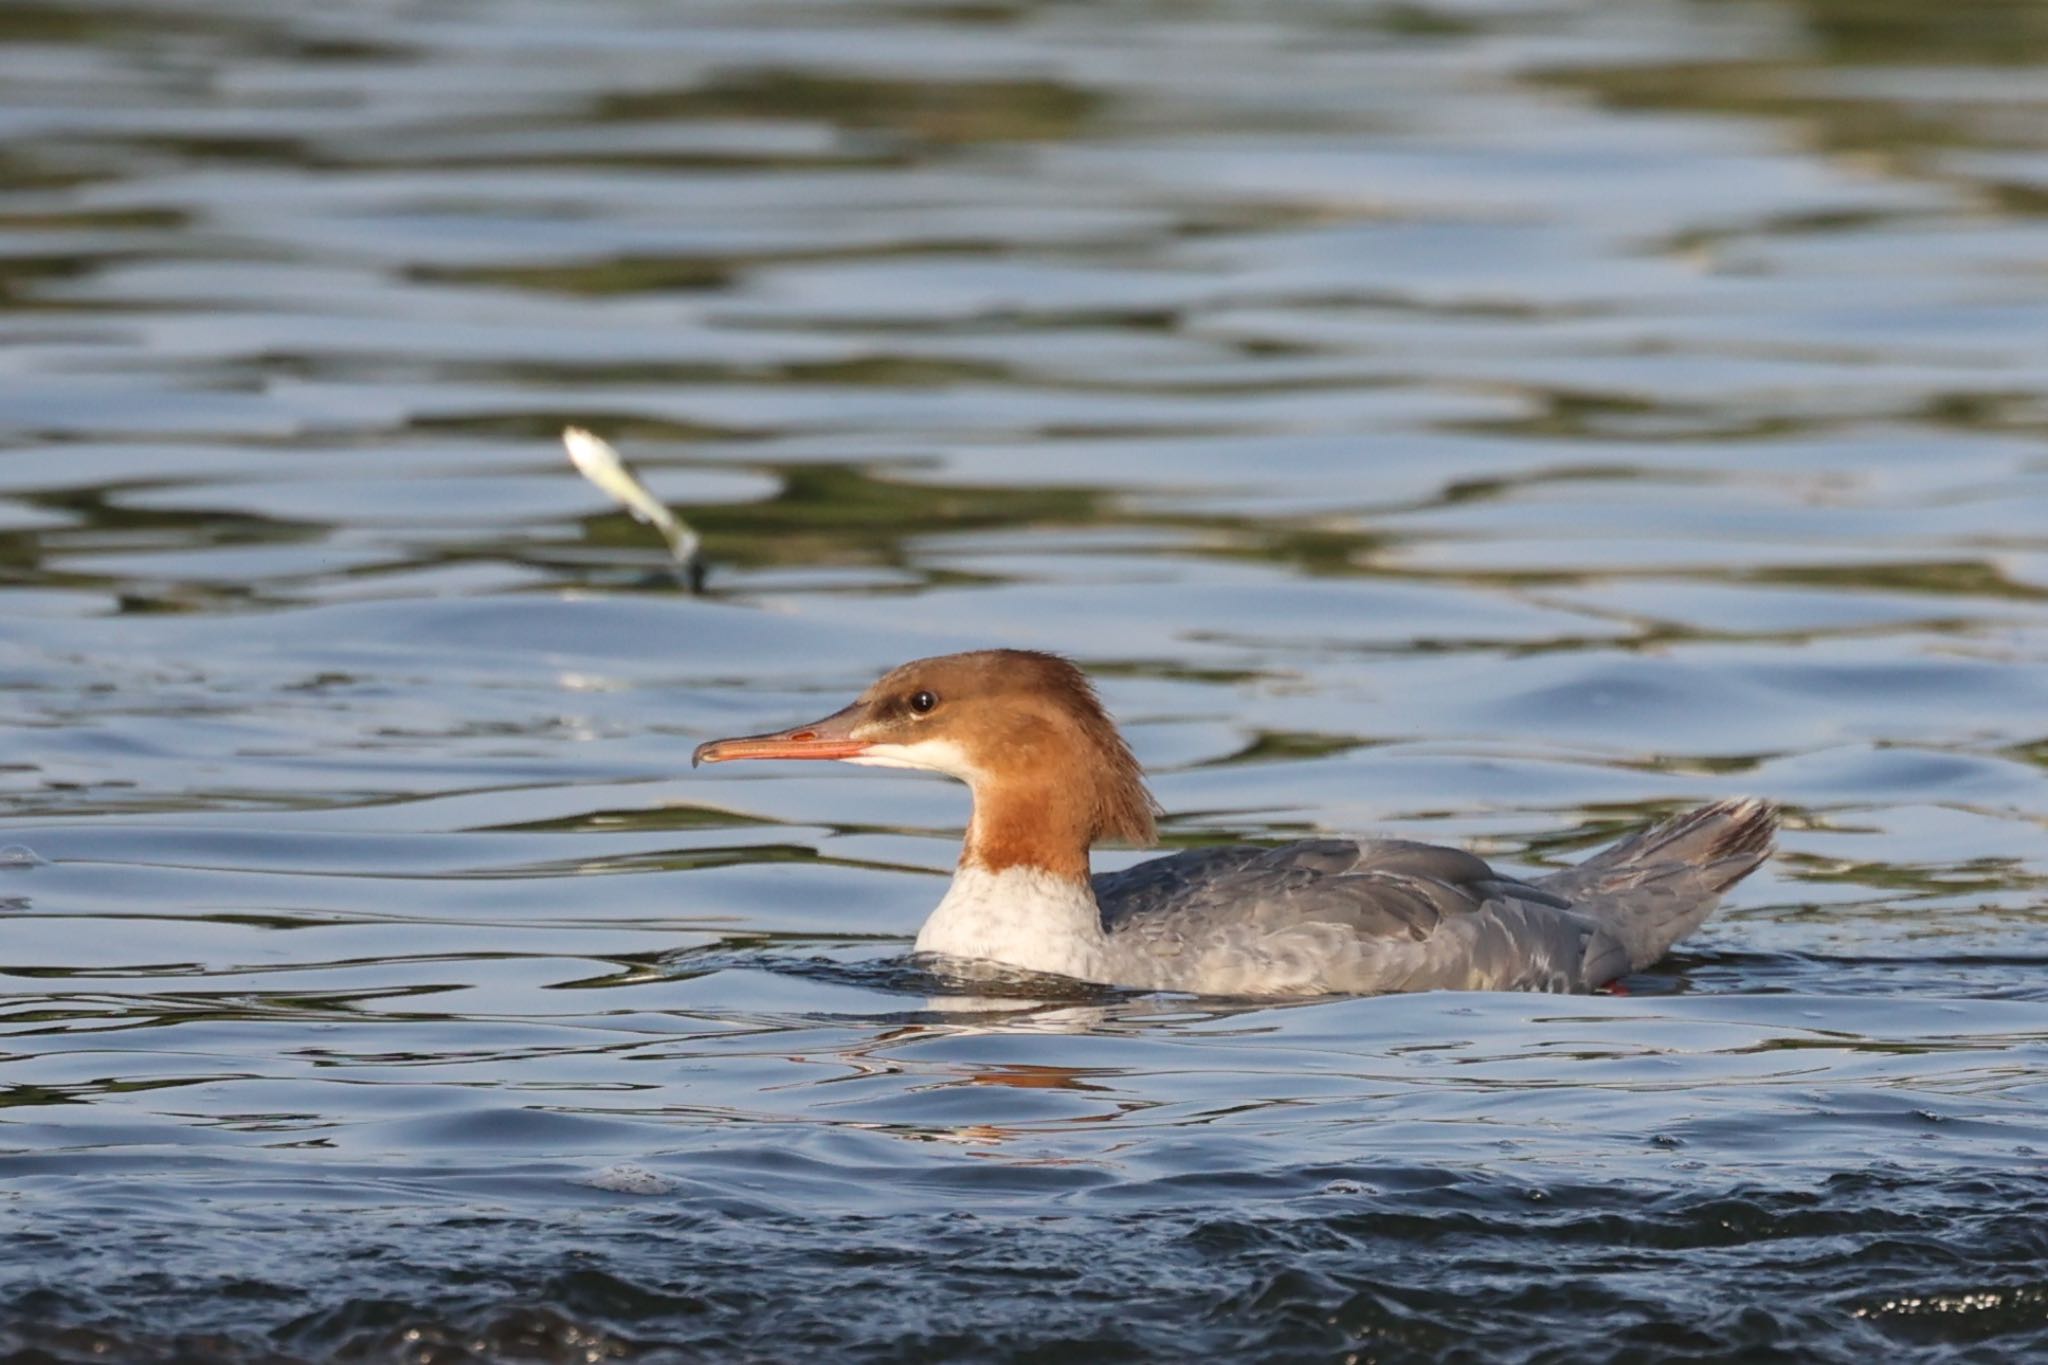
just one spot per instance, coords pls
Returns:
(1338, 916)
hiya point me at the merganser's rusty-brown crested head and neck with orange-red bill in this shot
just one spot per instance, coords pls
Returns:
(1025, 732)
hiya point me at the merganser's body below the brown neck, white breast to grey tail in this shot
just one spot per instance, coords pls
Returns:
(1357, 918)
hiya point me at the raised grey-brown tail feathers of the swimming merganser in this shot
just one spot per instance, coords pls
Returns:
(1660, 885)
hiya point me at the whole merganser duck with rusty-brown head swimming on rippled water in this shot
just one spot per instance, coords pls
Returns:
(1052, 777)
